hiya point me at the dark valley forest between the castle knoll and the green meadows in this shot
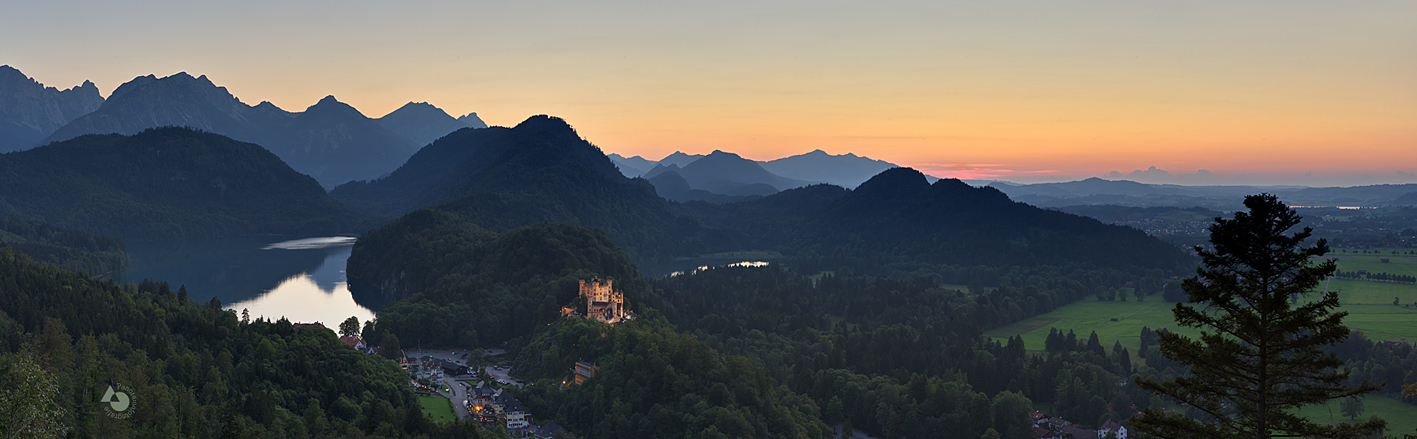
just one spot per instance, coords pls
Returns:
(906, 358)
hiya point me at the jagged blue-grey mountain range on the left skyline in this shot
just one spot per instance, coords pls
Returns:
(331, 141)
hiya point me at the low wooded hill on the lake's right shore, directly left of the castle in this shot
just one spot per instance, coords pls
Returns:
(460, 285)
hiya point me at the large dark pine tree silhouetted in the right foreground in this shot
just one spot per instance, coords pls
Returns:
(1260, 356)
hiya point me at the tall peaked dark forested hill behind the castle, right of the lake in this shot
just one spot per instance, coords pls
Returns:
(538, 172)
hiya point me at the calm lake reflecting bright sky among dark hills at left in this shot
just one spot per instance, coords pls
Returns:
(300, 278)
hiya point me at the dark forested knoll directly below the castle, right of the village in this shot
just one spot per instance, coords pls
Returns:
(657, 383)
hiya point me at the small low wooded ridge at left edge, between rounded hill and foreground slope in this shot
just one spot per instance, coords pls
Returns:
(64, 247)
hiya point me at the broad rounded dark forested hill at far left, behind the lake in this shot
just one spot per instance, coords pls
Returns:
(166, 183)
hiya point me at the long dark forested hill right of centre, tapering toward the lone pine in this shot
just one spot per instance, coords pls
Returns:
(899, 216)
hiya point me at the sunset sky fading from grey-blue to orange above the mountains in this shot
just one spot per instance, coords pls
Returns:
(1265, 93)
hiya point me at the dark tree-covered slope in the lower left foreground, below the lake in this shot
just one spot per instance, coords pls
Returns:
(198, 370)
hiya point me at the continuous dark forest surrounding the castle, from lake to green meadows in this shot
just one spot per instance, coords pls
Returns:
(763, 353)
